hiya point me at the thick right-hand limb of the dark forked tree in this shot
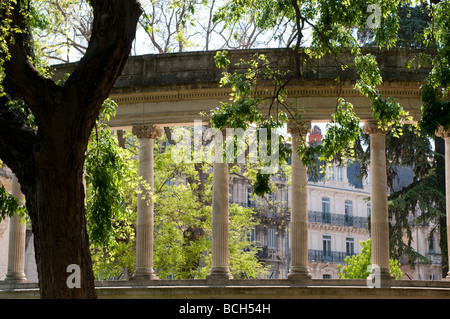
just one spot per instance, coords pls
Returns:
(113, 32)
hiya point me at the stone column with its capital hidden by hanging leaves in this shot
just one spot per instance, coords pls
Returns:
(219, 241)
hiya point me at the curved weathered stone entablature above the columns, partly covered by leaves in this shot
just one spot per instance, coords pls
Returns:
(172, 89)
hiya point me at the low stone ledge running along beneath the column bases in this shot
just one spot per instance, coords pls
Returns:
(249, 289)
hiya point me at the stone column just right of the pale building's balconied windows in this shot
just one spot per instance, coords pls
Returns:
(379, 204)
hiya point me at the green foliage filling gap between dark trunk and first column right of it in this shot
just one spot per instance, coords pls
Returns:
(111, 216)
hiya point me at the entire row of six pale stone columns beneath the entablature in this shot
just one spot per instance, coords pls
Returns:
(299, 270)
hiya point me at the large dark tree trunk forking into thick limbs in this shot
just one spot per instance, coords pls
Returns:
(48, 161)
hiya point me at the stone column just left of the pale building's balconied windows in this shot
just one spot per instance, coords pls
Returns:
(299, 269)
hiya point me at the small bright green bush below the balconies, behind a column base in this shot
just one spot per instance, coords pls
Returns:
(358, 266)
